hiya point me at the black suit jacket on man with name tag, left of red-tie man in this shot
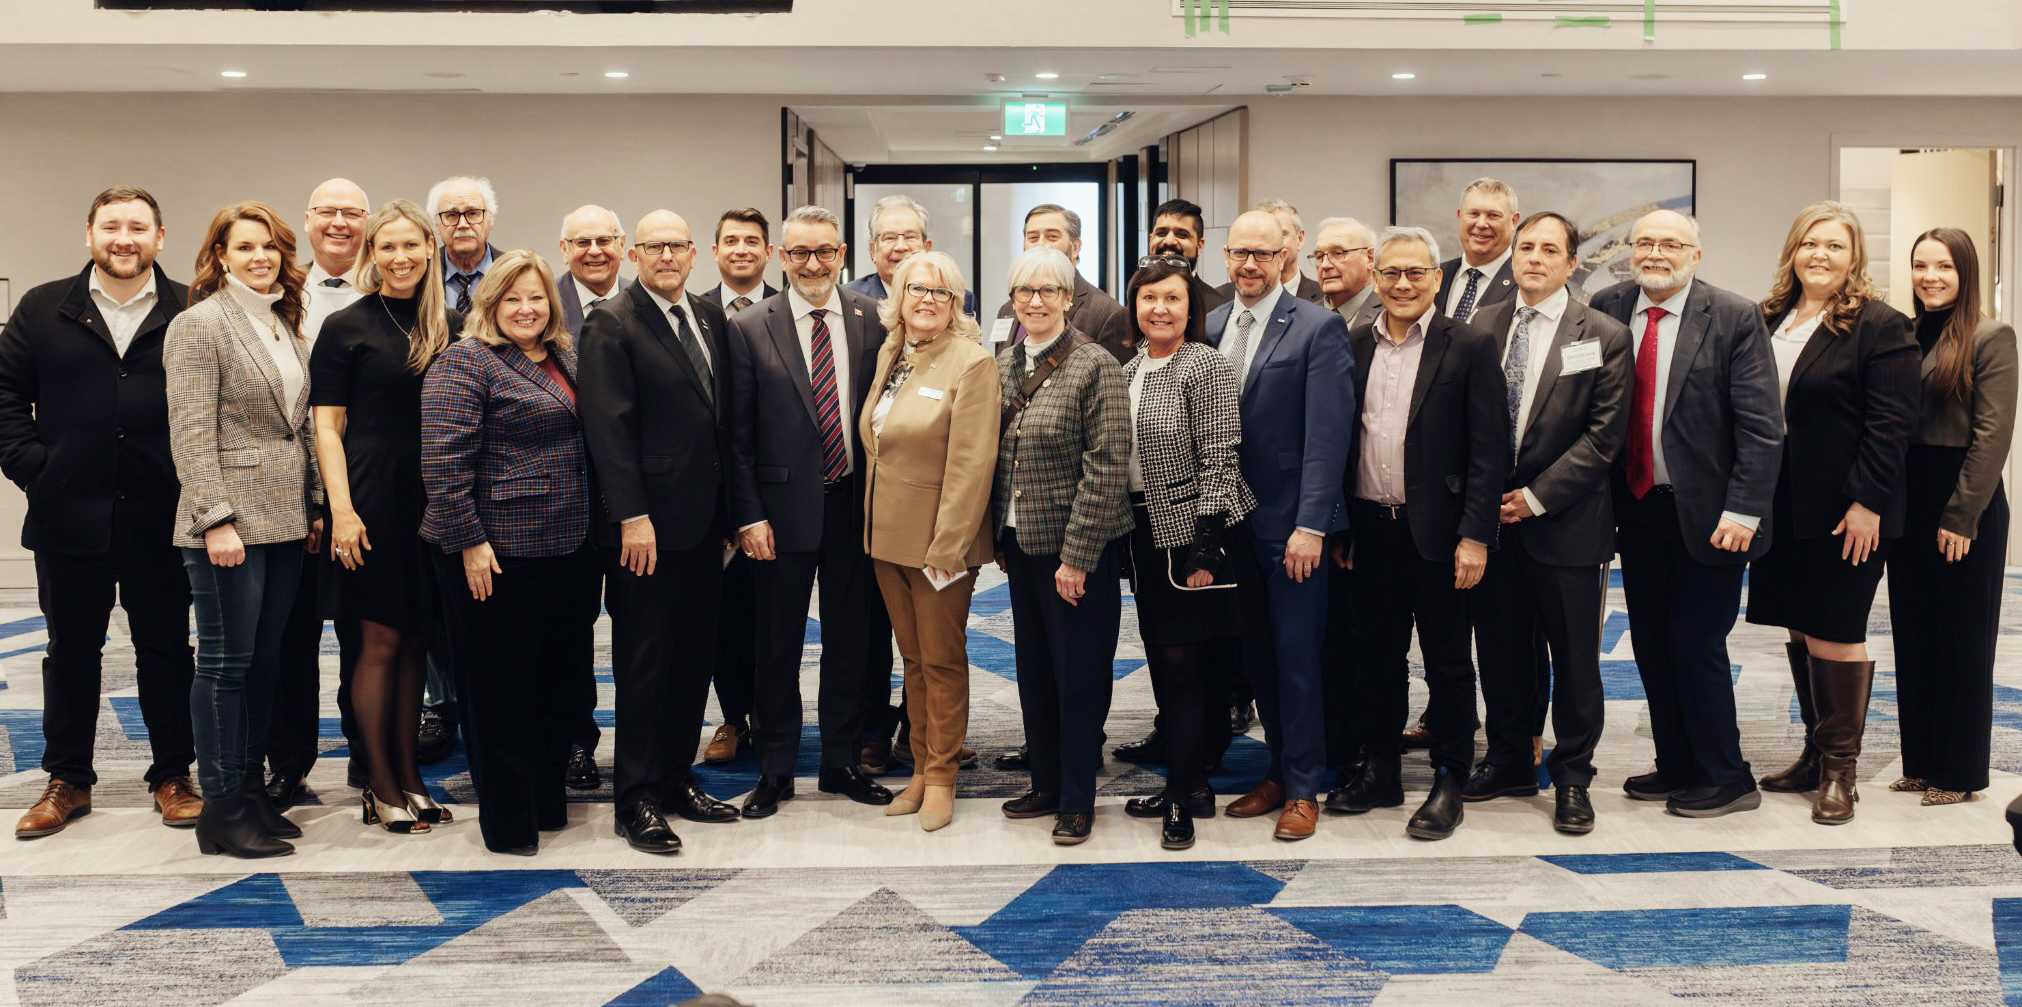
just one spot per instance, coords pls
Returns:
(1574, 434)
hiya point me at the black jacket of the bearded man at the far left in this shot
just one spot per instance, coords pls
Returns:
(84, 432)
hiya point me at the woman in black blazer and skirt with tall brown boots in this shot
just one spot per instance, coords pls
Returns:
(1849, 371)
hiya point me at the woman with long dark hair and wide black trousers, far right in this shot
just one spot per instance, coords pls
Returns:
(1946, 577)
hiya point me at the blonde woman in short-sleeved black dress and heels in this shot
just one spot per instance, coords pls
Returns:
(367, 393)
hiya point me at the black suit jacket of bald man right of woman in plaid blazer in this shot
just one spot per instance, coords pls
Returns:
(652, 422)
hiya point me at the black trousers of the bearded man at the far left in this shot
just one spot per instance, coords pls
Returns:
(76, 593)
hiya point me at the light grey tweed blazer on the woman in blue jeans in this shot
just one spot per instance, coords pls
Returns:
(242, 454)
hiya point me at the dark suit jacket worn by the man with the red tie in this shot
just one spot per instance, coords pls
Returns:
(1722, 426)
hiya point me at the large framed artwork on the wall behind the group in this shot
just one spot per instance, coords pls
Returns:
(1604, 197)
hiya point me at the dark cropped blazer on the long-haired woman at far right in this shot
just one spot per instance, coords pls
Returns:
(1983, 426)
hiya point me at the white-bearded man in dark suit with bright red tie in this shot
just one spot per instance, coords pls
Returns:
(1693, 507)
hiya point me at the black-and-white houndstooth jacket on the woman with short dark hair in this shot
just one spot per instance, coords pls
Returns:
(1188, 428)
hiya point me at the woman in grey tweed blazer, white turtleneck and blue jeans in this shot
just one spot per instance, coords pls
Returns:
(240, 432)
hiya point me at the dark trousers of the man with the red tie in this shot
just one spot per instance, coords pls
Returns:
(1679, 620)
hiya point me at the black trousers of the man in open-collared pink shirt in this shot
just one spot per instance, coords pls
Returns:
(1396, 589)
